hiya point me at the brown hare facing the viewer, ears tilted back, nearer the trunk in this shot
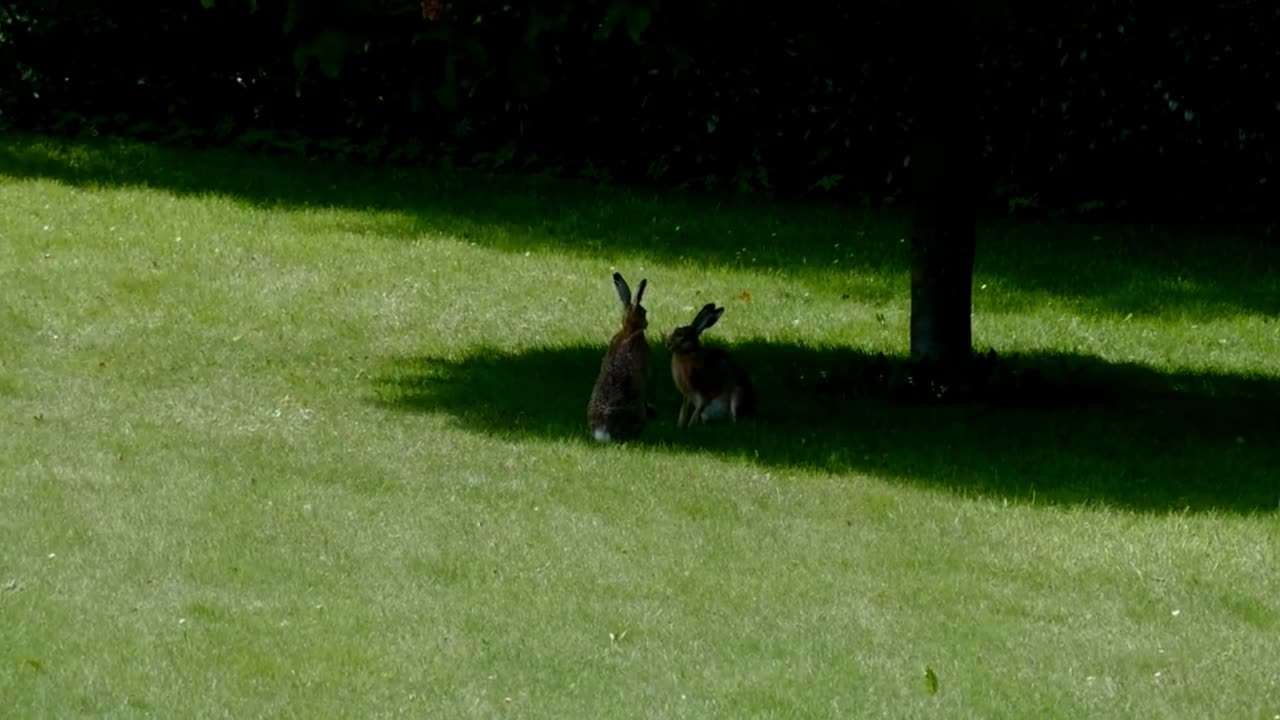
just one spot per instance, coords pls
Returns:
(712, 384)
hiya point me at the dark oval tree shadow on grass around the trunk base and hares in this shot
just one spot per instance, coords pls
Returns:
(1053, 429)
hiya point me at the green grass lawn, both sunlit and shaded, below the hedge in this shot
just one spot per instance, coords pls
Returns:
(310, 441)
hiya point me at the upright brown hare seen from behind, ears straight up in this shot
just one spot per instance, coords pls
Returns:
(619, 407)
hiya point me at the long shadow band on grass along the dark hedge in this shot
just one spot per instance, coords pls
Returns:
(1122, 268)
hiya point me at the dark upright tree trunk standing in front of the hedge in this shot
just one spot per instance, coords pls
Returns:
(945, 171)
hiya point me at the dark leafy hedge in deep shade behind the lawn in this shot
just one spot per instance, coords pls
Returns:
(1087, 107)
